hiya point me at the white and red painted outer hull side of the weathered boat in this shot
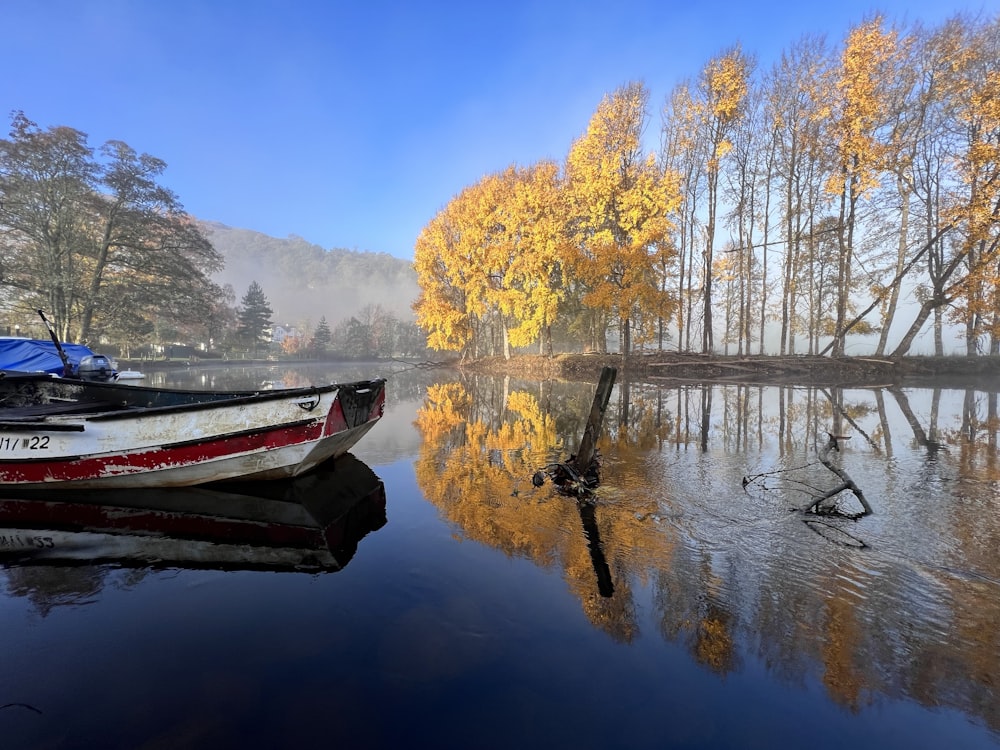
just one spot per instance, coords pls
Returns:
(269, 435)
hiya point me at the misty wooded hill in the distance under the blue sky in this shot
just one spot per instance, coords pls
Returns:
(303, 282)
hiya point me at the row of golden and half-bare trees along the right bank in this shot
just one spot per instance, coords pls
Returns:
(847, 189)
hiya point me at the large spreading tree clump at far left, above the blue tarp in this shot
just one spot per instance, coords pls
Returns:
(95, 239)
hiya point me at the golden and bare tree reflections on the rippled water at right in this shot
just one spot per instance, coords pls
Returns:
(901, 603)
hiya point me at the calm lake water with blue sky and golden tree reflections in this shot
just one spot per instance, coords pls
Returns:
(689, 603)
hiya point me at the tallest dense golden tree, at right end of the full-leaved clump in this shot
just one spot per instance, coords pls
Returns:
(619, 204)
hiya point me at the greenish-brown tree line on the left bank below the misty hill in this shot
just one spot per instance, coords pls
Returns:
(94, 239)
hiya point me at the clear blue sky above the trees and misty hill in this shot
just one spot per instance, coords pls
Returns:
(352, 123)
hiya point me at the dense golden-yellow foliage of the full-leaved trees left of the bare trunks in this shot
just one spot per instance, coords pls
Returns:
(503, 254)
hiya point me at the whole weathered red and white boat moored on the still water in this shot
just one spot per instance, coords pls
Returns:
(58, 432)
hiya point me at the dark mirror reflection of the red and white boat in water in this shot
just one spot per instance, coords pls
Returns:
(312, 523)
